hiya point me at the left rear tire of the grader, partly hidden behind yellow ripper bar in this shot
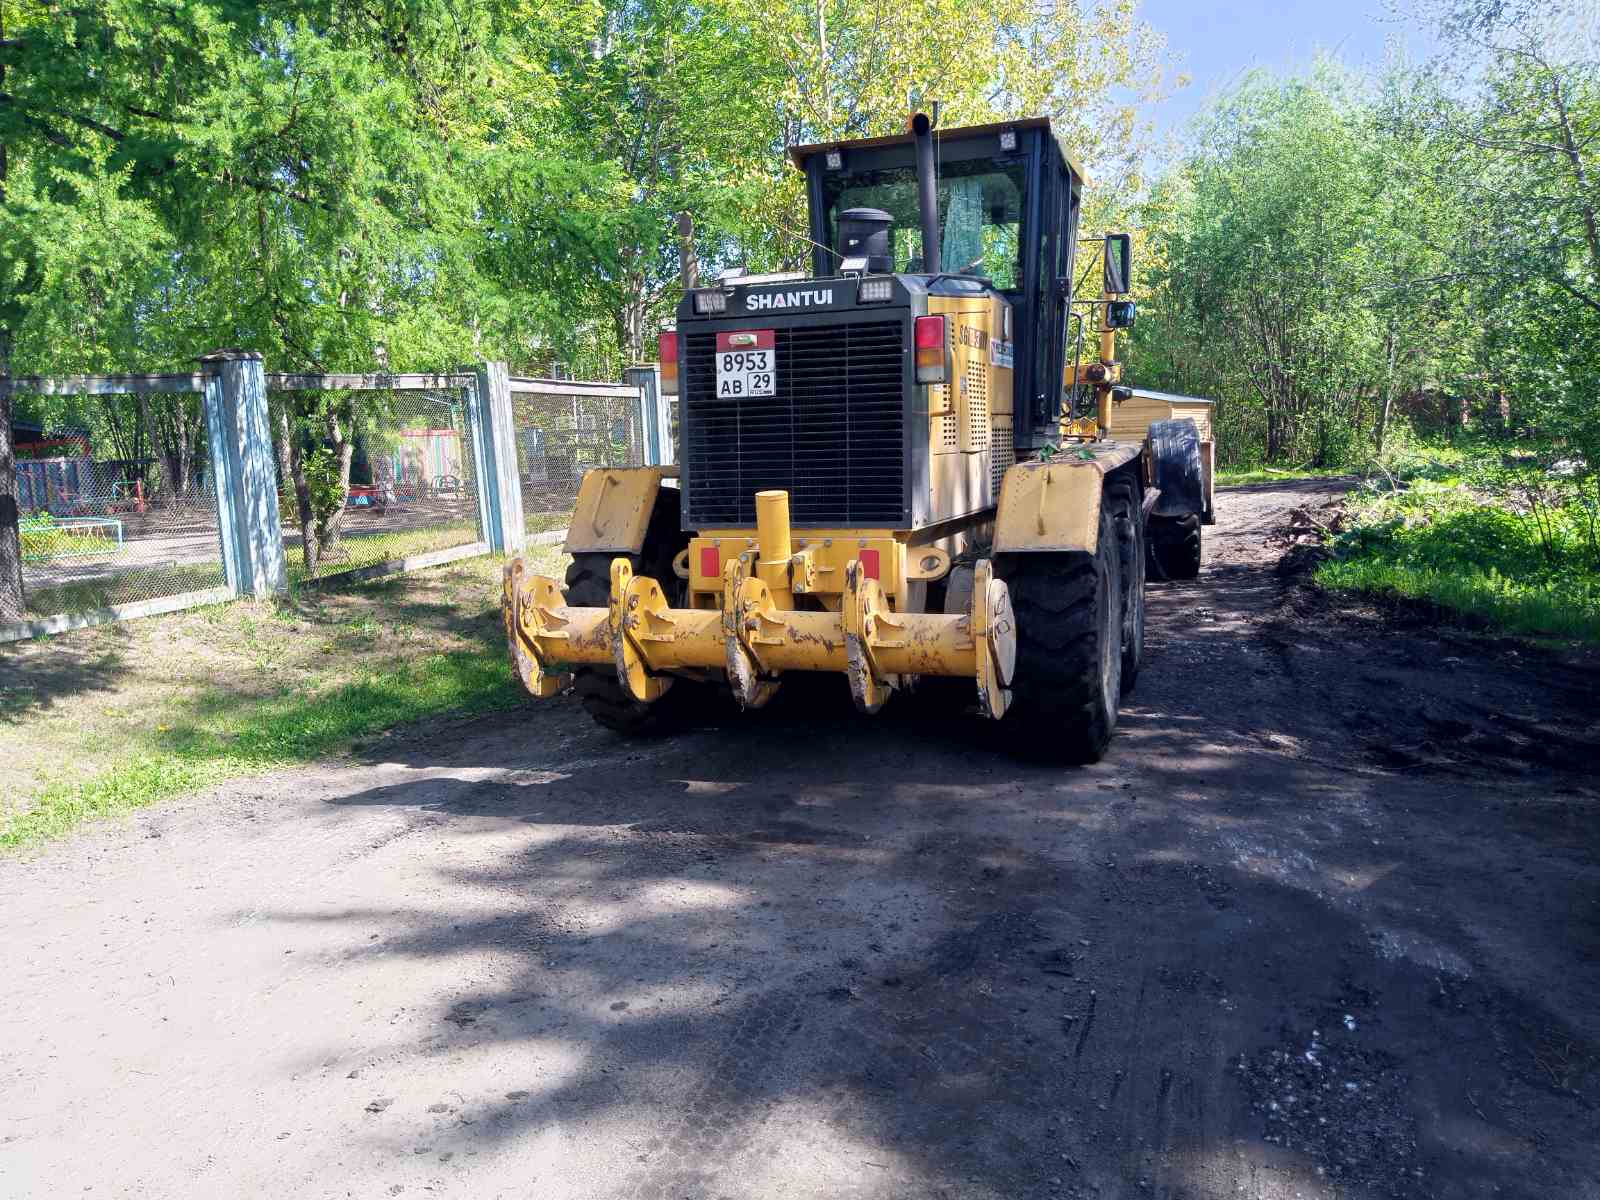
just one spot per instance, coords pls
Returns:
(590, 586)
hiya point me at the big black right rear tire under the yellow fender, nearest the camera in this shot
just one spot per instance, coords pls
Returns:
(1068, 679)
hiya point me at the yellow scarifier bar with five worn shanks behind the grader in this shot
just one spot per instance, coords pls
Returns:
(758, 636)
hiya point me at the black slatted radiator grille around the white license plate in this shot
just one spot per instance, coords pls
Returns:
(833, 436)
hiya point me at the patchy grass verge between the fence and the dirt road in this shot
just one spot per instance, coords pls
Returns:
(105, 721)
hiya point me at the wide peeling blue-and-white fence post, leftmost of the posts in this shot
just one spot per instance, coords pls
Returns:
(246, 473)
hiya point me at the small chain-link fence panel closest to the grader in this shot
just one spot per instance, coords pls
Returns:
(564, 428)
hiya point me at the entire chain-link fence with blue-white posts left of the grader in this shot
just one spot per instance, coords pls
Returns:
(121, 505)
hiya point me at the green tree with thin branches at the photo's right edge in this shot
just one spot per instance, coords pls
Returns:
(1513, 111)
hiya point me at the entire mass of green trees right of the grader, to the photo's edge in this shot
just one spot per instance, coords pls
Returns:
(1337, 257)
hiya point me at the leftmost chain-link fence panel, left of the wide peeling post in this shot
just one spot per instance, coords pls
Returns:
(118, 510)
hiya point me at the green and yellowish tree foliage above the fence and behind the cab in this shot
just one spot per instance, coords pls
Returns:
(337, 183)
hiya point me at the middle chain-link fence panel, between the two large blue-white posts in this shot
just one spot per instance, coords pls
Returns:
(404, 462)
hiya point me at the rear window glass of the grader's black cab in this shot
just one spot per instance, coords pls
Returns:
(980, 215)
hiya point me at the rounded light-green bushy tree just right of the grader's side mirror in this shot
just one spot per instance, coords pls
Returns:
(1282, 249)
